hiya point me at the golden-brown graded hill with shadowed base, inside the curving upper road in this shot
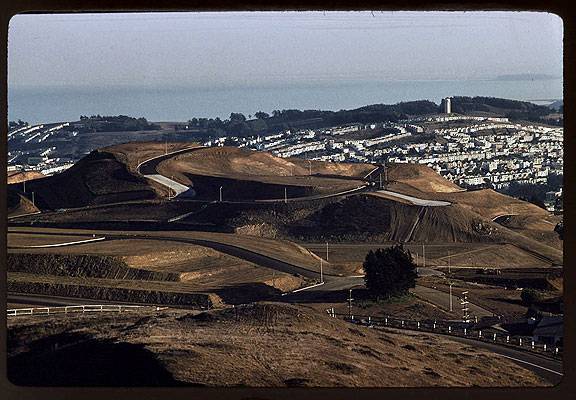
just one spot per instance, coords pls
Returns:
(245, 174)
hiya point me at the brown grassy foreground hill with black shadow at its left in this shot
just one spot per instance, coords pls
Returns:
(263, 345)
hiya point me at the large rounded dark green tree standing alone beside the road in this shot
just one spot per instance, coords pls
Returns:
(389, 272)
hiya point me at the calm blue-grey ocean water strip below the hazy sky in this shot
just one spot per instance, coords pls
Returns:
(43, 105)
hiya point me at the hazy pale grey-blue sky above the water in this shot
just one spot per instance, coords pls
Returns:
(207, 49)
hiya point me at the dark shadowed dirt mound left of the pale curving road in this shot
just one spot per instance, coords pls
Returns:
(98, 178)
